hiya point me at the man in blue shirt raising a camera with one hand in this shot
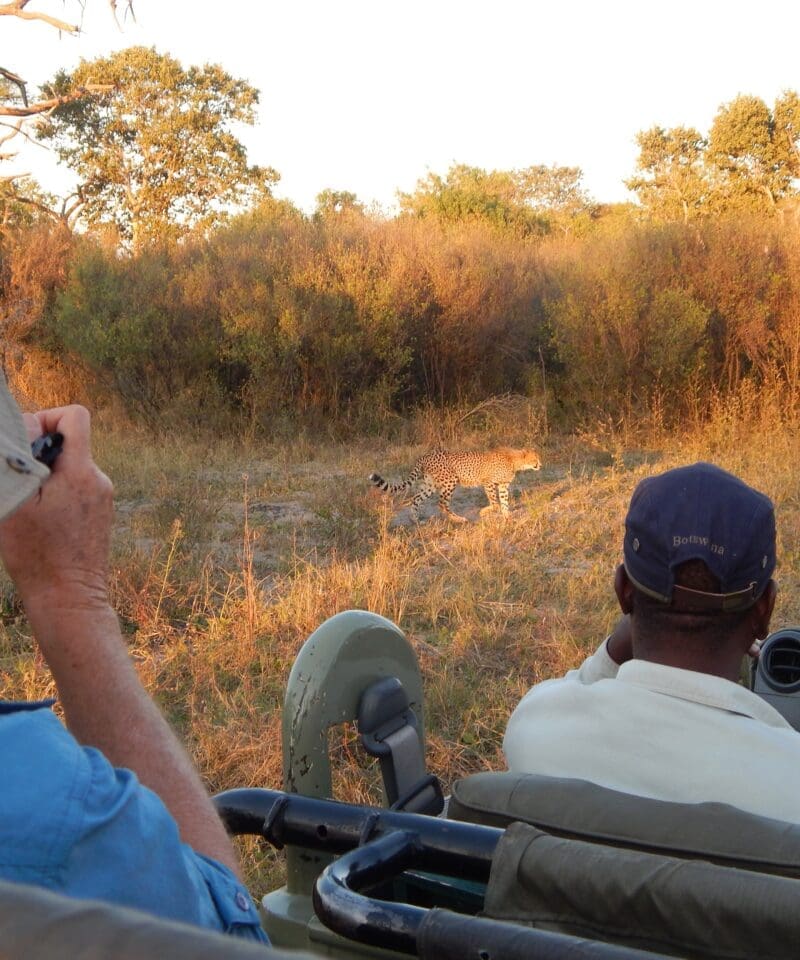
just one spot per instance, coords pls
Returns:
(110, 807)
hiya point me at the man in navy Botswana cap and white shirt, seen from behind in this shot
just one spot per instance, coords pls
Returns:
(657, 710)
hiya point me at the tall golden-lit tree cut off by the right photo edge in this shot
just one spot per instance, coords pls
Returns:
(754, 151)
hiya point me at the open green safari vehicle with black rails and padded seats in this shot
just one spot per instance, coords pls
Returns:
(520, 866)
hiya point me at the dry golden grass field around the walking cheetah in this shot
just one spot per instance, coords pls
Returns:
(227, 557)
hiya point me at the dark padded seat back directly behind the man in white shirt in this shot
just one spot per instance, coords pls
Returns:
(581, 810)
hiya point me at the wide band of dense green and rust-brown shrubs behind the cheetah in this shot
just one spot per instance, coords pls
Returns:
(348, 318)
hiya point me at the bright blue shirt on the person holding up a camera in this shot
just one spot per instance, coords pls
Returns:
(72, 823)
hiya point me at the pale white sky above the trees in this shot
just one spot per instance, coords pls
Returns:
(371, 95)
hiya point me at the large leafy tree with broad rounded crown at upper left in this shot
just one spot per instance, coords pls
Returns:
(155, 154)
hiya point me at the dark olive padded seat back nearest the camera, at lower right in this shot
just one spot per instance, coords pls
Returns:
(685, 908)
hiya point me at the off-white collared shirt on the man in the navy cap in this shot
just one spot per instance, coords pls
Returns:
(660, 732)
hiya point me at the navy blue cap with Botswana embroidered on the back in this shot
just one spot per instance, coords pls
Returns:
(700, 512)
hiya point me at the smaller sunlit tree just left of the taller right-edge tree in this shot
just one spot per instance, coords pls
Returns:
(673, 185)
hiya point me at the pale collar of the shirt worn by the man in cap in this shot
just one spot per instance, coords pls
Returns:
(701, 688)
